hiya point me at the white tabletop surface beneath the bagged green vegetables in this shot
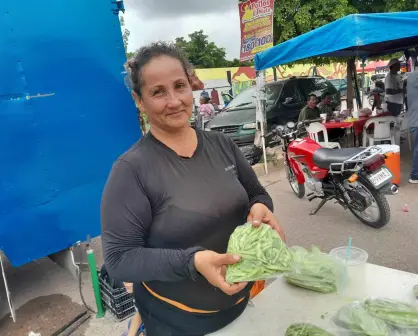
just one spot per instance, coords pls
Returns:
(281, 304)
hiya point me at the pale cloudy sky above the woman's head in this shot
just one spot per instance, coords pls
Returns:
(151, 20)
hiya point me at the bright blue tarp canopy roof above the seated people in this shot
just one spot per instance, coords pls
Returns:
(361, 35)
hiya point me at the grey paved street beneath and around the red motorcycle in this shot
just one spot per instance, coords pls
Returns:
(394, 246)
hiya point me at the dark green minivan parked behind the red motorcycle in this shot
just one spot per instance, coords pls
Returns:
(285, 100)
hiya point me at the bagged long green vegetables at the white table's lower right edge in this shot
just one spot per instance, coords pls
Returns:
(393, 312)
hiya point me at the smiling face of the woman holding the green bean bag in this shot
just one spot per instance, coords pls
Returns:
(166, 94)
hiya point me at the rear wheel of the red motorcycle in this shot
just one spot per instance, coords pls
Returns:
(381, 204)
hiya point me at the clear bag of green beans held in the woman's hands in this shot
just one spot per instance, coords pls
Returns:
(263, 254)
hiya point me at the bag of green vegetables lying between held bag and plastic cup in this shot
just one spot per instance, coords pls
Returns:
(314, 270)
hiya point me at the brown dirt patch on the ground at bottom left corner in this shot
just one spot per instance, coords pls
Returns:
(44, 315)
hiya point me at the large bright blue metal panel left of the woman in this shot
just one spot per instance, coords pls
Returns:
(65, 117)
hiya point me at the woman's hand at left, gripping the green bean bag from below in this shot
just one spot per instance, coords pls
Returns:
(212, 266)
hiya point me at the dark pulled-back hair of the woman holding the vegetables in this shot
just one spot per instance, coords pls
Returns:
(145, 54)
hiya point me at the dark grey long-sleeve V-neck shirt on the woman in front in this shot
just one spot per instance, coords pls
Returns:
(158, 209)
